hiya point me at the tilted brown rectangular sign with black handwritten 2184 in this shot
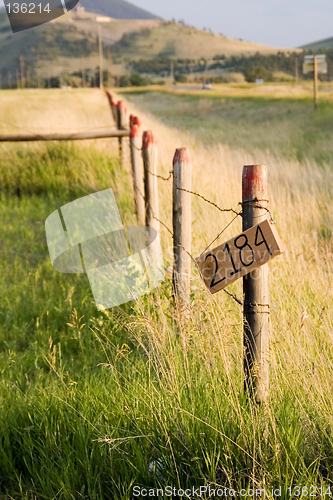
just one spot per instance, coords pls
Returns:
(239, 256)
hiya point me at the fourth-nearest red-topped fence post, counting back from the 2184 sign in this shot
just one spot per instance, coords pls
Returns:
(137, 171)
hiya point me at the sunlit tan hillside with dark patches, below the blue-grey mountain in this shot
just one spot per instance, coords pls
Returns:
(70, 44)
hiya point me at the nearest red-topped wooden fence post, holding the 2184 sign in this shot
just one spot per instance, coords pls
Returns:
(255, 286)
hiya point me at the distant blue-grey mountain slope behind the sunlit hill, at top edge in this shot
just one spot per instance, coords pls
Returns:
(118, 9)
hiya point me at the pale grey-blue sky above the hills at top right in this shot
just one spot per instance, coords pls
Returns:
(281, 23)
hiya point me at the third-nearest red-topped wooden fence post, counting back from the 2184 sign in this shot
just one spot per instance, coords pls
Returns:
(149, 155)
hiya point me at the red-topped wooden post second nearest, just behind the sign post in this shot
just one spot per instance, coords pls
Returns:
(182, 174)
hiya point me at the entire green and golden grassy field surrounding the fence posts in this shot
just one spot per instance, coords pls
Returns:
(92, 404)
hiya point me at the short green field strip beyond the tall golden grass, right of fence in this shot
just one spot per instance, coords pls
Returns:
(275, 118)
